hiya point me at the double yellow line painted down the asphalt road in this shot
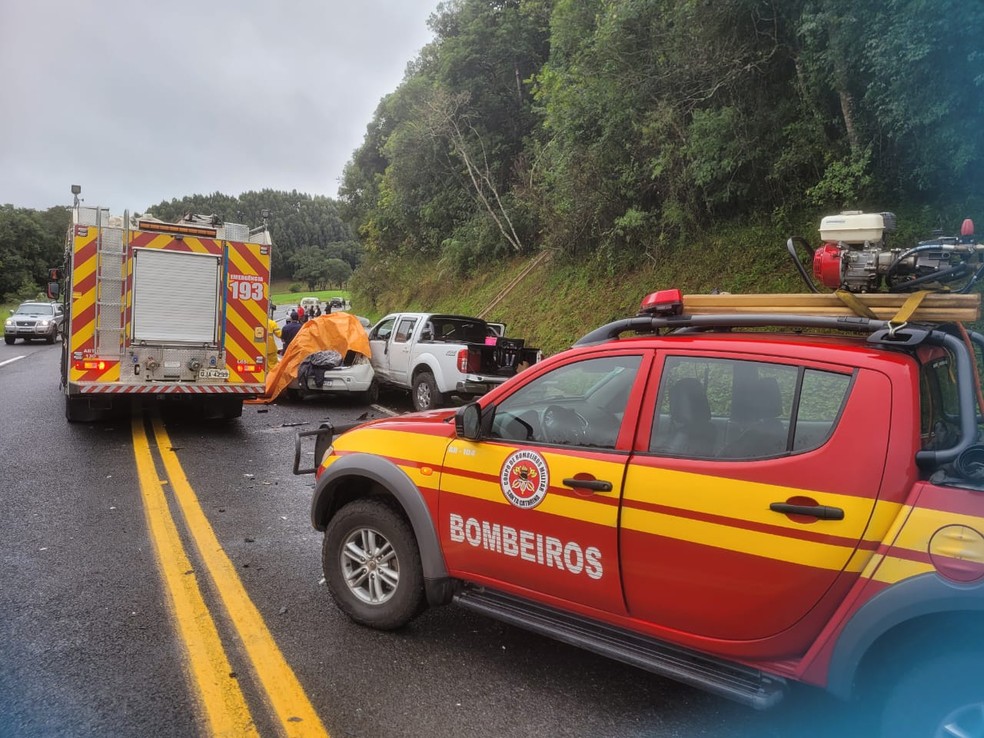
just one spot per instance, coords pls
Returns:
(217, 688)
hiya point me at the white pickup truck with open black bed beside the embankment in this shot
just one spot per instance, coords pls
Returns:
(436, 356)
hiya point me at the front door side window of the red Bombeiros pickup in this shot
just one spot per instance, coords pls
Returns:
(578, 404)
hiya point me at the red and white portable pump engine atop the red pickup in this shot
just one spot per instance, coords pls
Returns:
(854, 256)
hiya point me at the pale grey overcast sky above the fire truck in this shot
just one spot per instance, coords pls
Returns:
(139, 102)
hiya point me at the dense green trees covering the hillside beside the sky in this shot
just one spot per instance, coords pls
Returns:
(608, 129)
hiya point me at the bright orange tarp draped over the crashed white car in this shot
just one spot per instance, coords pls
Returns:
(341, 332)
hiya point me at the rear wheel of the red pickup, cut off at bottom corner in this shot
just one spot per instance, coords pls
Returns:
(941, 697)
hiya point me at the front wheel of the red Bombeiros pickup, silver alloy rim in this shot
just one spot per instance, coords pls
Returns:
(372, 565)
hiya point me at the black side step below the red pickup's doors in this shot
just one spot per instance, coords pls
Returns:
(742, 684)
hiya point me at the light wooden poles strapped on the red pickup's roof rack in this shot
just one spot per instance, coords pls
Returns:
(937, 307)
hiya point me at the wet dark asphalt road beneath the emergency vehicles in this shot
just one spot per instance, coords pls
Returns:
(88, 645)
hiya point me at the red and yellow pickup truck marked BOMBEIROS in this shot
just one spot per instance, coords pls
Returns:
(736, 509)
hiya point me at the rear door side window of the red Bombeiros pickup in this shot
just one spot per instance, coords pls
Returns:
(741, 410)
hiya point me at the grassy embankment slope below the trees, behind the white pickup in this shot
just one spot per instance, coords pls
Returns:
(561, 300)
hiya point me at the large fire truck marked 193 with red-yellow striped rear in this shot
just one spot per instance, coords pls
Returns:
(174, 311)
